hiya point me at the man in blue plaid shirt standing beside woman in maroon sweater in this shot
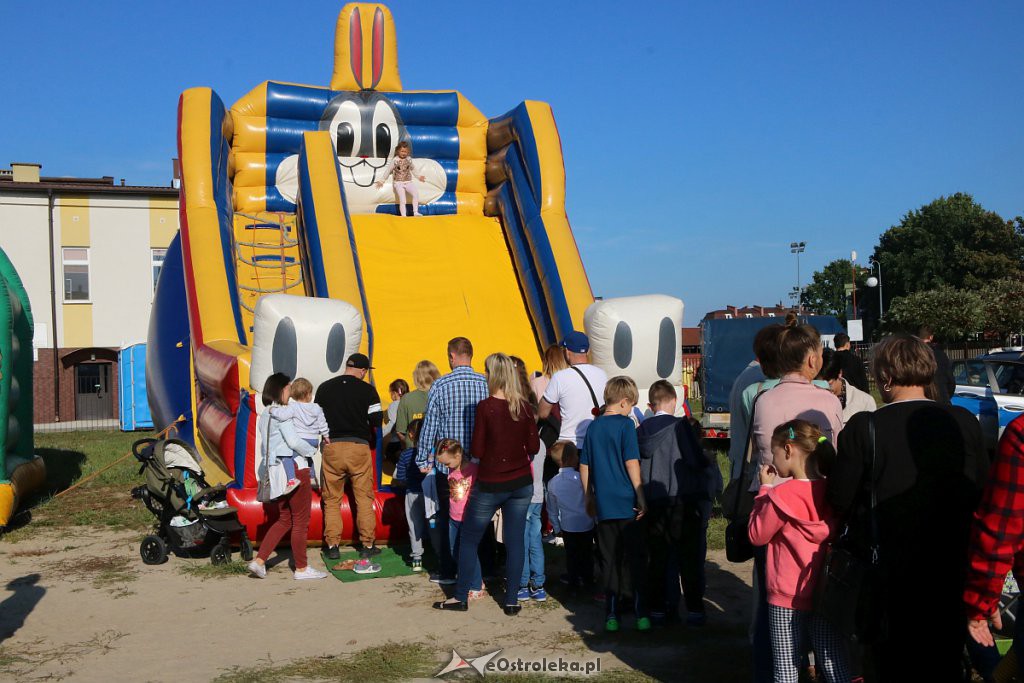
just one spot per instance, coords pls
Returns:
(451, 413)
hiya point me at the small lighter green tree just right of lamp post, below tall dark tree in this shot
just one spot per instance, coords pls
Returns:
(952, 314)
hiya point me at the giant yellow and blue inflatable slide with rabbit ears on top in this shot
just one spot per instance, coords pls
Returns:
(280, 195)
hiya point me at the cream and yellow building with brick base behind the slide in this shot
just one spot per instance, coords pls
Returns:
(89, 252)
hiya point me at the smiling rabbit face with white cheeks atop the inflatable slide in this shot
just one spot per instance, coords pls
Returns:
(365, 129)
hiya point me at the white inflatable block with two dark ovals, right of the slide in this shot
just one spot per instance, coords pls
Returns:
(639, 337)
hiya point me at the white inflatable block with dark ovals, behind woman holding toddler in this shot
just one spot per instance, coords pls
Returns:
(303, 337)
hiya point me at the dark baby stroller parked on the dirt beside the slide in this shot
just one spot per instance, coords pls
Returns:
(193, 518)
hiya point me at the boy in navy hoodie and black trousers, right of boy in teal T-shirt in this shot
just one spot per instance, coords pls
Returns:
(675, 475)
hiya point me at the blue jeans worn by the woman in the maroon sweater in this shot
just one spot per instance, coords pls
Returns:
(481, 508)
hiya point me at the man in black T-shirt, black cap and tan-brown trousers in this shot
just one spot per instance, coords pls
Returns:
(353, 409)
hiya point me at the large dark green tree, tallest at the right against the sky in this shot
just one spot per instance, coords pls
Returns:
(952, 242)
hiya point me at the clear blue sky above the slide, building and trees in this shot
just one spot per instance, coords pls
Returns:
(700, 139)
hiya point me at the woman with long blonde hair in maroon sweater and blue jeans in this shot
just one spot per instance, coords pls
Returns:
(504, 440)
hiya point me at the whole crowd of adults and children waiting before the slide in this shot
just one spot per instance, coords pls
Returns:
(901, 491)
